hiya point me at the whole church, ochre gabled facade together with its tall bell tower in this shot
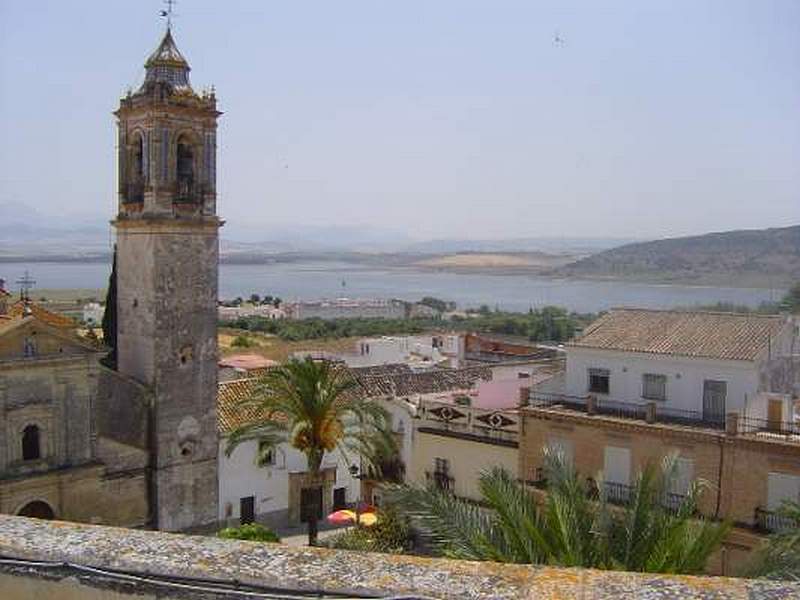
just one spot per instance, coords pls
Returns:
(134, 445)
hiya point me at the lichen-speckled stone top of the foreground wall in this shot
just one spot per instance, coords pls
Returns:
(278, 567)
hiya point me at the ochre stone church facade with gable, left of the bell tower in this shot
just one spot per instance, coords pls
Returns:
(55, 459)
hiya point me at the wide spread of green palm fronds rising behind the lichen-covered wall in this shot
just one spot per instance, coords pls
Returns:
(570, 527)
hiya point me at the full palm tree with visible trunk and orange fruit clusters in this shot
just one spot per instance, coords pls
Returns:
(314, 407)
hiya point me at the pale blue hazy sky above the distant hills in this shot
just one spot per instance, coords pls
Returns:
(439, 118)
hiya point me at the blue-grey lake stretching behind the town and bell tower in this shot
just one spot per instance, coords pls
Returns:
(307, 280)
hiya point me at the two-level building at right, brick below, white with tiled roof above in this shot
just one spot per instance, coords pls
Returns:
(642, 385)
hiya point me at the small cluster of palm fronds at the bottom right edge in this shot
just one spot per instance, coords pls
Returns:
(780, 557)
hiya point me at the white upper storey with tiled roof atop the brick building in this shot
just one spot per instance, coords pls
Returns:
(693, 365)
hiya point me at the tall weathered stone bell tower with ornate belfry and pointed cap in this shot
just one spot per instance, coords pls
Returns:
(167, 262)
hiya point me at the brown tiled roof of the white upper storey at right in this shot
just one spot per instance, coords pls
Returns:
(728, 336)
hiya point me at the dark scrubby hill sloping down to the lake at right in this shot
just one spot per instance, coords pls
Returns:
(752, 258)
